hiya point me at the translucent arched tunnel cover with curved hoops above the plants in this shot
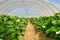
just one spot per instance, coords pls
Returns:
(27, 8)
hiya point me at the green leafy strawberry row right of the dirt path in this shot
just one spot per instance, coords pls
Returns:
(49, 25)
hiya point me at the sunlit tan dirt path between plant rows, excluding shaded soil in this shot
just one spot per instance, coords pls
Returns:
(30, 33)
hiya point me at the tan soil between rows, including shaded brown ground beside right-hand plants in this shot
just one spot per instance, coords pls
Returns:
(31, 34)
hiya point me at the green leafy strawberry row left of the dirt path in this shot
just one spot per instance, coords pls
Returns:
(12, 27)
